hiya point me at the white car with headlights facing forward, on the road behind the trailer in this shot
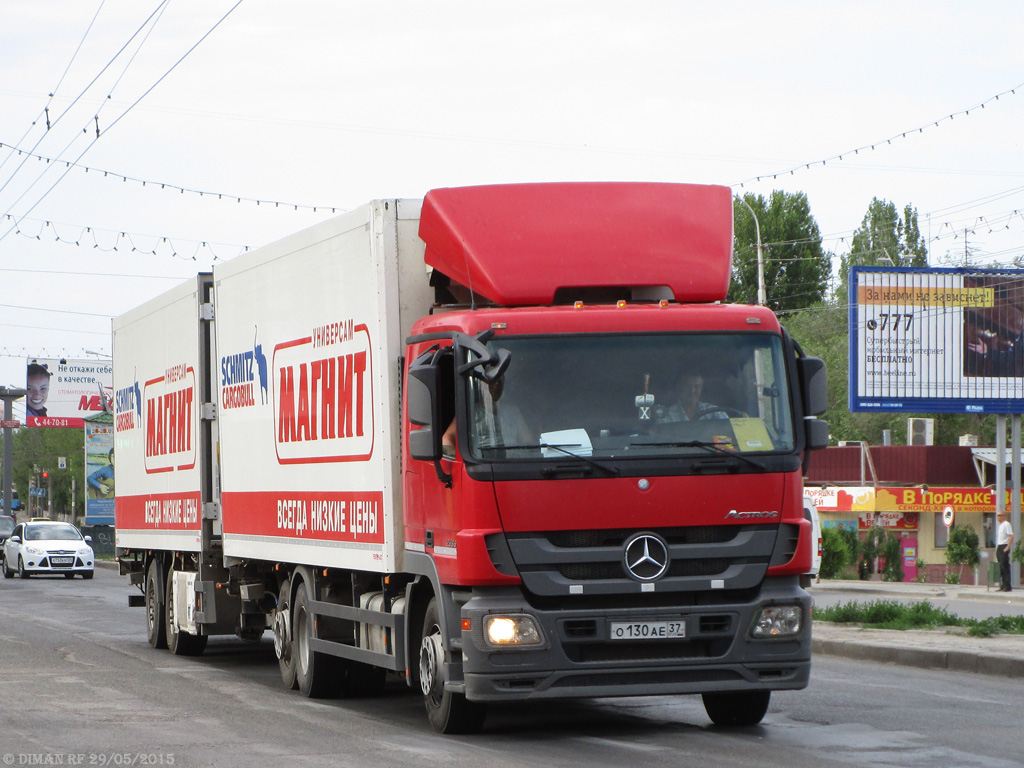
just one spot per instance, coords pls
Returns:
(48, 547)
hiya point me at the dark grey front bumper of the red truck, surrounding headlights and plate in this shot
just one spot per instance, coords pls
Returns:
(578, 659)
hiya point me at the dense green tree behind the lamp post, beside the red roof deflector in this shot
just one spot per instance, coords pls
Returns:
(796, 267)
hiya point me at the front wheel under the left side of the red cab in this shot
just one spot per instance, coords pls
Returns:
(449, 712)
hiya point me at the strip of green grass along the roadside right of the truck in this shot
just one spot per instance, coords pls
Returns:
(889, 615)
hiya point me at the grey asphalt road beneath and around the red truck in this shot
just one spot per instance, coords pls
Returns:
(78, 679)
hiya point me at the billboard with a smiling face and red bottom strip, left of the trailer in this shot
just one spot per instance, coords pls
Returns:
(65, 393)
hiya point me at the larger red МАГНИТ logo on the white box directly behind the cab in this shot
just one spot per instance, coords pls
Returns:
(324, 396)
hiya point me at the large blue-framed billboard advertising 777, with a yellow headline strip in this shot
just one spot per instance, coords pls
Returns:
(937, 340)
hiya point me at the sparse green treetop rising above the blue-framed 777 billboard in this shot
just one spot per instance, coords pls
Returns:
(884, 238)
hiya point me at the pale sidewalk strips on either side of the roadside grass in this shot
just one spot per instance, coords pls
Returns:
(938, 650)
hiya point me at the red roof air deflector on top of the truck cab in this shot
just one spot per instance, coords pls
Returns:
(518, 244)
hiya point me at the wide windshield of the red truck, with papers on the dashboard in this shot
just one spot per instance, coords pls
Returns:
(633, 396)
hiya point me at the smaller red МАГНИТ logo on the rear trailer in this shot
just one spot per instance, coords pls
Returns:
(170, 419)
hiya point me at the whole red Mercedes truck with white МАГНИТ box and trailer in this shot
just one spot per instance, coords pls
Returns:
(505, 443)
